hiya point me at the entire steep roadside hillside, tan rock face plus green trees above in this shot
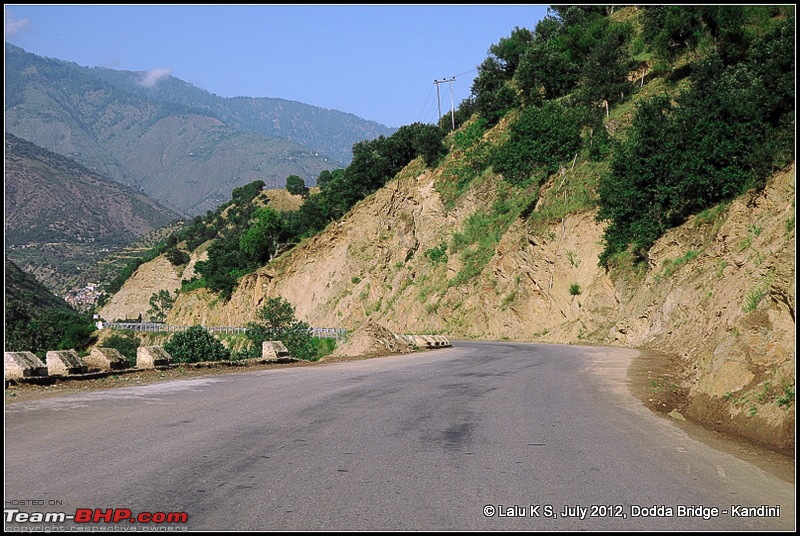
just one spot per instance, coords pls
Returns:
(621, 176)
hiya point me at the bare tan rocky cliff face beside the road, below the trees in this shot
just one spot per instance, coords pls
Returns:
(718, 292)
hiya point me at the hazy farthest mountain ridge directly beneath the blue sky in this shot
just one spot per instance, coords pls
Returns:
(179, 144)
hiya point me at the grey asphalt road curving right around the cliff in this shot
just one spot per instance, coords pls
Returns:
(430, 441)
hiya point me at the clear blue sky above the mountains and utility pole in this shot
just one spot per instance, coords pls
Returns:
(377, 62)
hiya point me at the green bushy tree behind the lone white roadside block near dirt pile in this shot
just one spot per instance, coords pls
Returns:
(277, 322)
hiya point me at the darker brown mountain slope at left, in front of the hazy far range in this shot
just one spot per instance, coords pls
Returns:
(60, 216)
